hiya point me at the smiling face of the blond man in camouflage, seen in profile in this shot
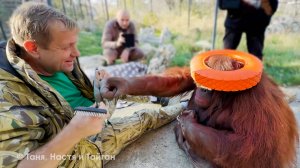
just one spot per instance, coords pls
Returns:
(61, 51)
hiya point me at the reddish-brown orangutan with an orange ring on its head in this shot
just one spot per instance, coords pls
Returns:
(251, 128)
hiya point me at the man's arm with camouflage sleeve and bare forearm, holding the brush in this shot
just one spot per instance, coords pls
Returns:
(22, 130)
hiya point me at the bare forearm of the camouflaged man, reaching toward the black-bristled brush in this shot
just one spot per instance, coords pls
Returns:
(79, 127)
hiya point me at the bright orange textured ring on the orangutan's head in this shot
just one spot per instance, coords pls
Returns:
(241, 79)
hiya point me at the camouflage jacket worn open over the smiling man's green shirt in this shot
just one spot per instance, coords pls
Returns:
(27, 120)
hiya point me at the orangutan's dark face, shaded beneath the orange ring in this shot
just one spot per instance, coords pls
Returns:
(202, 97)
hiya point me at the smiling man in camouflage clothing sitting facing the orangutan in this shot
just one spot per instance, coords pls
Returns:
(37, 125)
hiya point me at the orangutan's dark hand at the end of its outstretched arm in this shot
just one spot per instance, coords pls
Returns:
(113, 87)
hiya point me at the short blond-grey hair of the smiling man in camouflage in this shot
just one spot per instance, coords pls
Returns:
(31, 21)
